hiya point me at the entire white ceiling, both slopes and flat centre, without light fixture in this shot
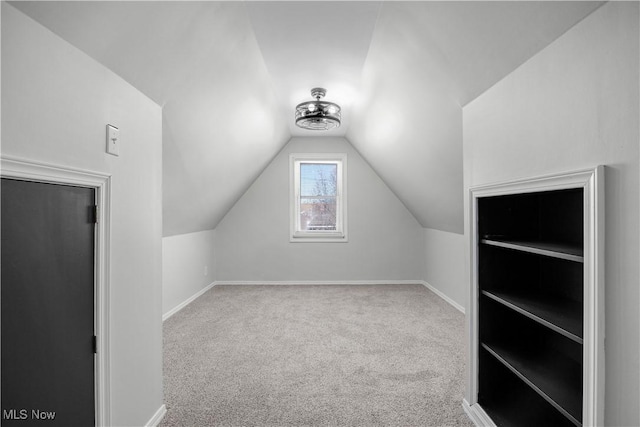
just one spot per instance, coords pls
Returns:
(228, 75)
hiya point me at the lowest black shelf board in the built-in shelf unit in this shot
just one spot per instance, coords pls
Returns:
(549, 375)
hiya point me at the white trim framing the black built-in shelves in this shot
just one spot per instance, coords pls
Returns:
(592, 183)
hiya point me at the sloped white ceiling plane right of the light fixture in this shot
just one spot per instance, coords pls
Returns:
(426, 61)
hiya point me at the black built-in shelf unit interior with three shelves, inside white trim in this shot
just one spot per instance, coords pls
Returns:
(530, 307)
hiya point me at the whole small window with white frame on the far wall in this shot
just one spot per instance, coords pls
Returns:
(318, 197)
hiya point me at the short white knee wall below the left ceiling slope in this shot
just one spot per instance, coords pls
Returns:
(188, 266)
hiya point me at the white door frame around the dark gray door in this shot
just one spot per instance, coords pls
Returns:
(36, 171)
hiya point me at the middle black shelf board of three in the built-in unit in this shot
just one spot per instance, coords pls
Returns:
(560, 315)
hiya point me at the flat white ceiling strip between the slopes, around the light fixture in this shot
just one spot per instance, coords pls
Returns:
(317, 44)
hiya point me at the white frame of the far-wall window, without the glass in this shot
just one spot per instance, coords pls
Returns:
(340, 233)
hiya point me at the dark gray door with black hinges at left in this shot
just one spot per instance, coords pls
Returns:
(47, 304)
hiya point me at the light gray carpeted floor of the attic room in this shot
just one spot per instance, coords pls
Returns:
(379, 355)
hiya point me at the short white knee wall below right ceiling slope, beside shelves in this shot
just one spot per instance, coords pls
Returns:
(445, 264)
